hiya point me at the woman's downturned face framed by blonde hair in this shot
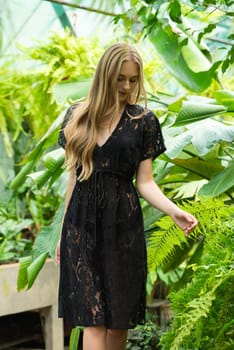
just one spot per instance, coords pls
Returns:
(127, 81)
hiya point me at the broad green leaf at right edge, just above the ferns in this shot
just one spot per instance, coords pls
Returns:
(219, 183)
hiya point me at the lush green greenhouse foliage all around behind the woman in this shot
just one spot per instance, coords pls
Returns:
(187, 48)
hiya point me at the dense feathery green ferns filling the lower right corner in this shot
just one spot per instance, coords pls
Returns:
(203, 307)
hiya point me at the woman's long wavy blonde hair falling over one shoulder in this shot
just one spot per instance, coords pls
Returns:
(102, 101)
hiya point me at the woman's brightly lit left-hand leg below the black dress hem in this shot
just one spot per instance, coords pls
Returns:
(94, 338)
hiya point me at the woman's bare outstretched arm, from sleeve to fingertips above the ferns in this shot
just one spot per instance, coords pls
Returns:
(150, 191)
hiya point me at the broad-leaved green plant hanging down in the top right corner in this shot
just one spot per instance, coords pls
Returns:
(179, 42)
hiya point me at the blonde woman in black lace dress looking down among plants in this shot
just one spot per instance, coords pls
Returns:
(108, 139)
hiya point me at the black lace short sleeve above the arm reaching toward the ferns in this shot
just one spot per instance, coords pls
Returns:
(153, 142)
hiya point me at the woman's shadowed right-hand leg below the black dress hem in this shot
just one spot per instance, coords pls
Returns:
(116, 339)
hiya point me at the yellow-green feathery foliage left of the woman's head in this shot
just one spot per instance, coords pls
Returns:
(33, 111)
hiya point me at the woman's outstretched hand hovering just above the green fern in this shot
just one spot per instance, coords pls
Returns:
(184, 220)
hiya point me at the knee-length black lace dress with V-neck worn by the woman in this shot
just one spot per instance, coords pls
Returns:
(103, 255)
